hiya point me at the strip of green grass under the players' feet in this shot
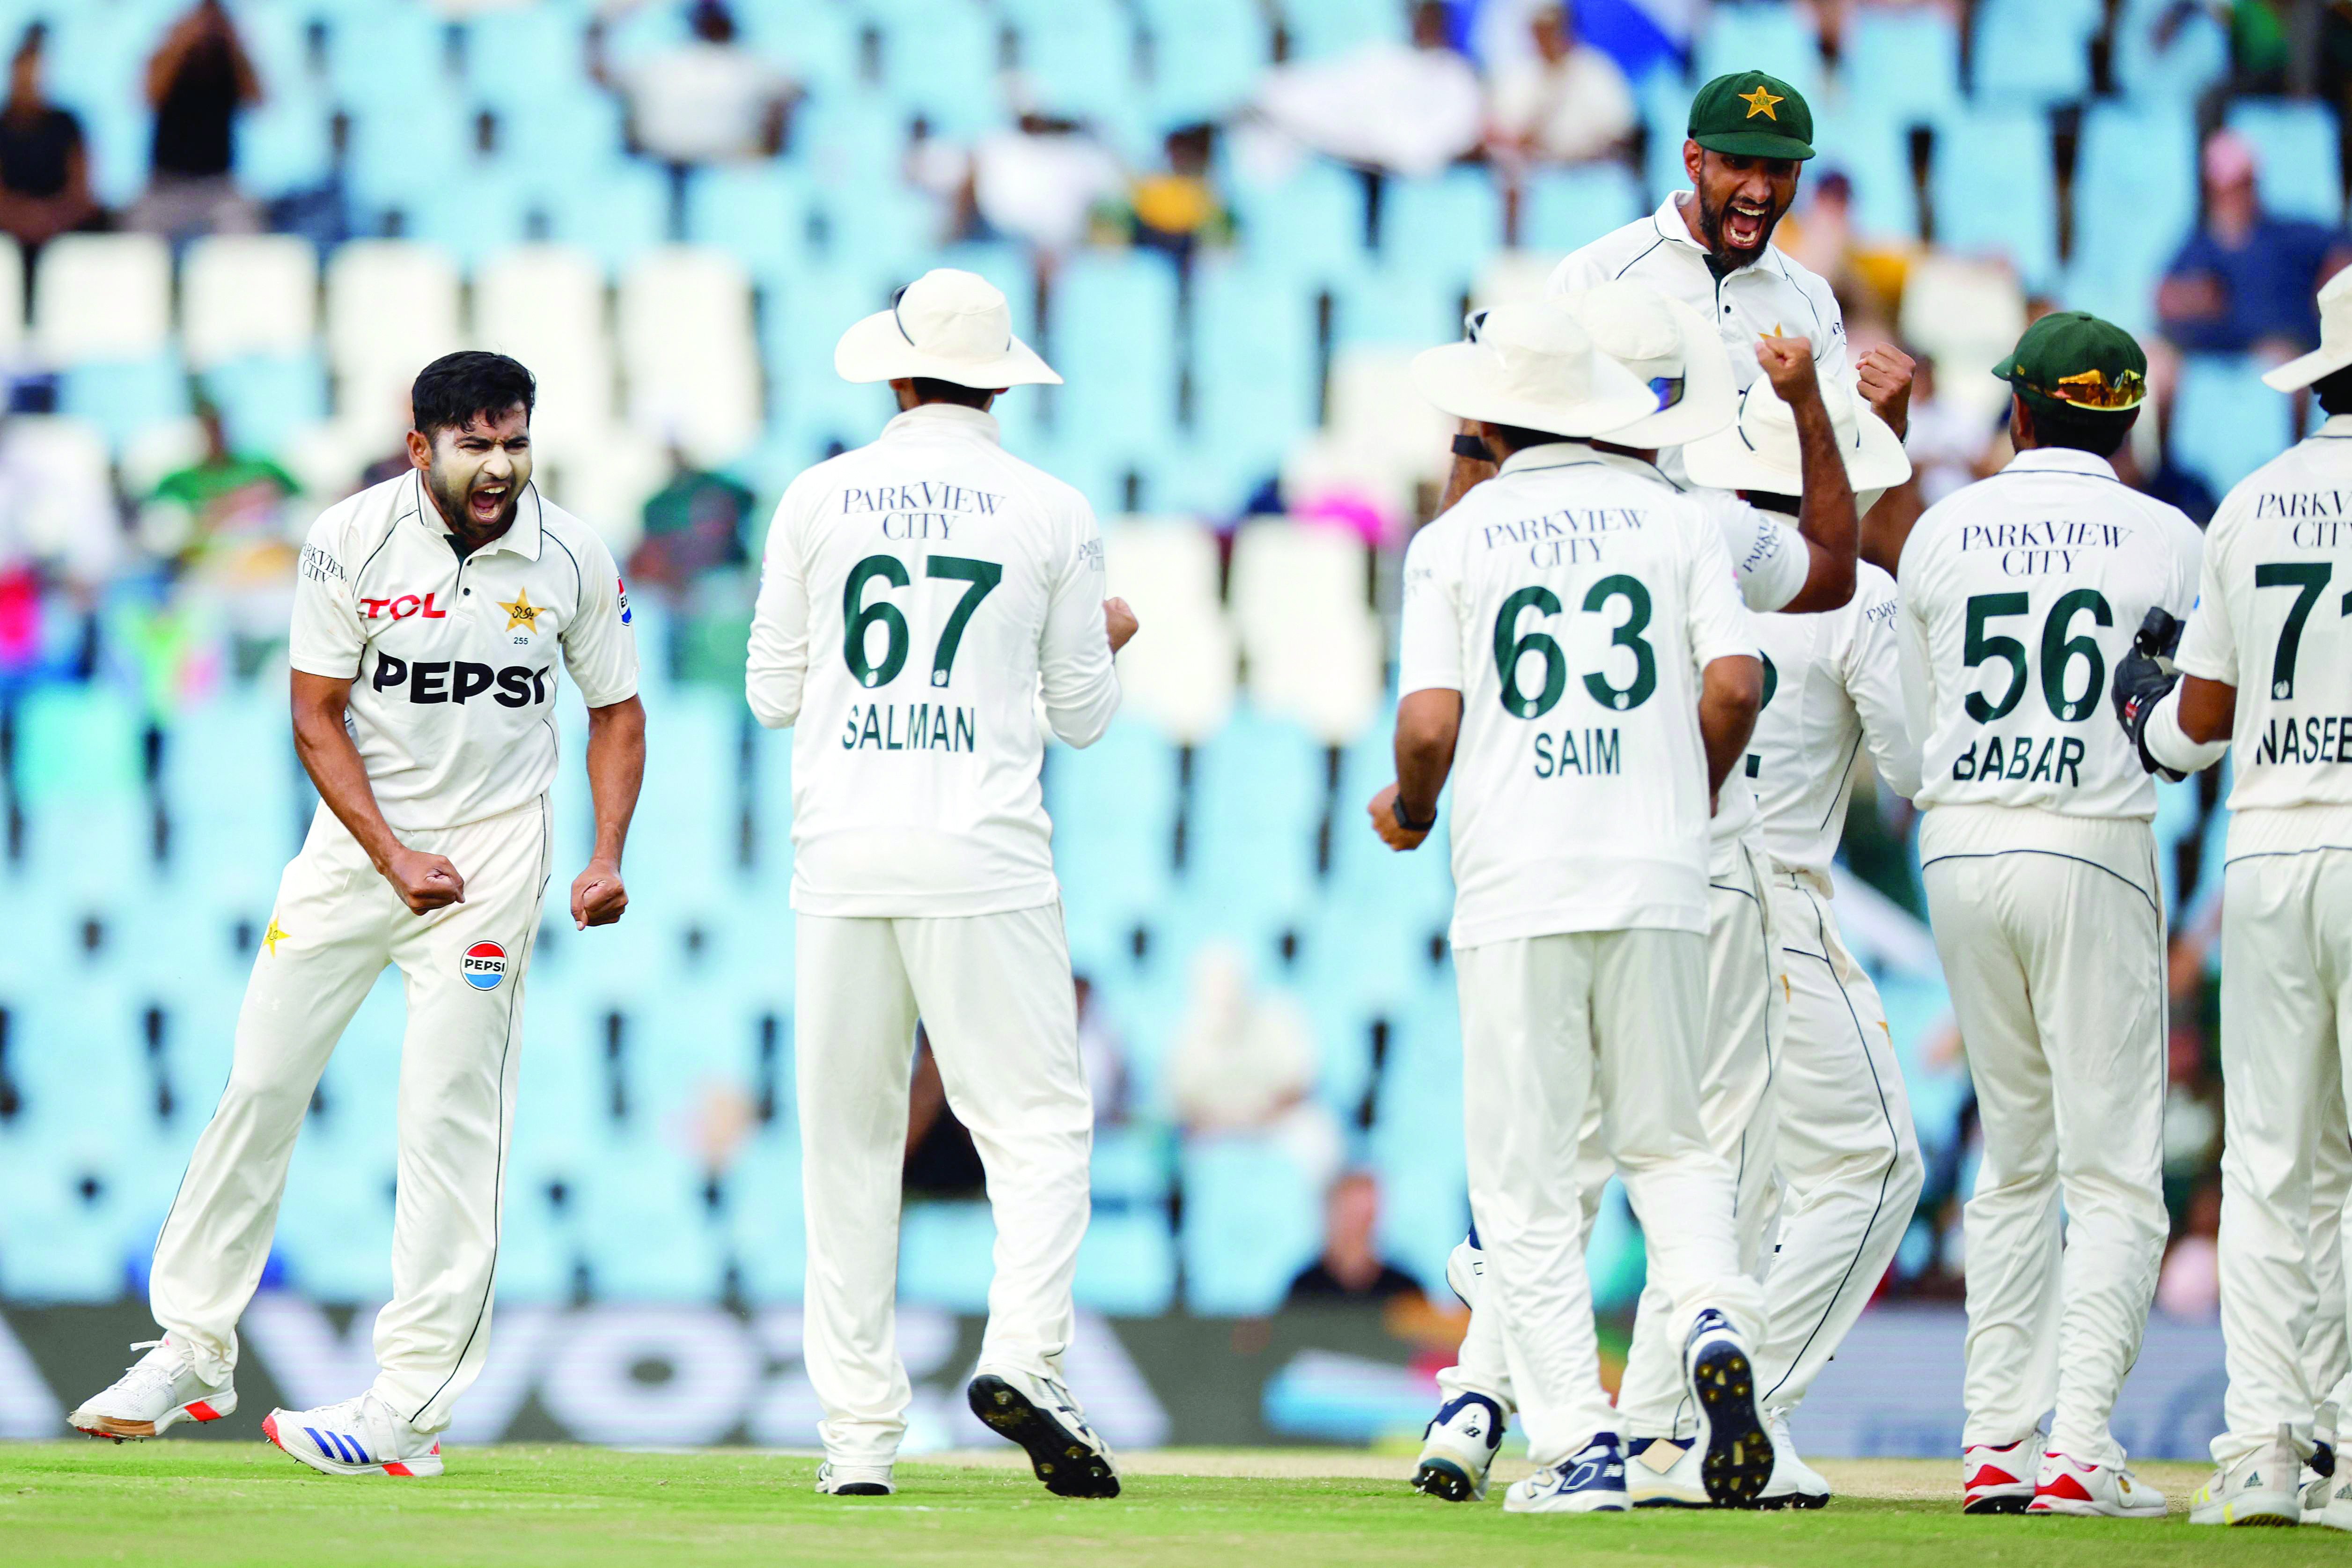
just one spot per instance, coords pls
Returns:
(213, 1503)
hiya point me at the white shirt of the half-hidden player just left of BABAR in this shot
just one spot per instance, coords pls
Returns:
(1831, 688)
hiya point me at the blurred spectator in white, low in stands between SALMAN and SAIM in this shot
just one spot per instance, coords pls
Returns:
(1245, 1066)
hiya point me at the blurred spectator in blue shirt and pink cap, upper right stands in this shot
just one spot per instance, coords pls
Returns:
(2247, 279)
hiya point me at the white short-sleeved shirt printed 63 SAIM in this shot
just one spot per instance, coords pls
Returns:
(1572, 601)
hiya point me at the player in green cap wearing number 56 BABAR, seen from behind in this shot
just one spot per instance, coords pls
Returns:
(2019, 596)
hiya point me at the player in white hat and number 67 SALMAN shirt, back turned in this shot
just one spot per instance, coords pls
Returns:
(918, 601)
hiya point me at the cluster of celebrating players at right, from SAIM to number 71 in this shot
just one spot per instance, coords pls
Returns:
(1648, 643)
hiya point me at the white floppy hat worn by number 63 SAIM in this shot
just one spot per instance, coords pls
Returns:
(1532, 366)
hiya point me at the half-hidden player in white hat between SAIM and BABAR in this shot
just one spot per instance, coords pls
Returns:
(1847, 1153)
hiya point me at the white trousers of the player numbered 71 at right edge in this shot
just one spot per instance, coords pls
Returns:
(2285, 1019)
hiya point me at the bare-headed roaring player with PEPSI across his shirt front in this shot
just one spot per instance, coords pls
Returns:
(429, 622)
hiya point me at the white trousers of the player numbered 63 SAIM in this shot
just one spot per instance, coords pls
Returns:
(1551, 1028)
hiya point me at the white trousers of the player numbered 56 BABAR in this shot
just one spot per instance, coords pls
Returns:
(2052, 942)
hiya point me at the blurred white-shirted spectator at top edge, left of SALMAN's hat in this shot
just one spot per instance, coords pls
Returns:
(709, 100)
